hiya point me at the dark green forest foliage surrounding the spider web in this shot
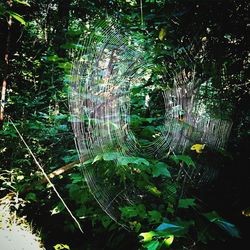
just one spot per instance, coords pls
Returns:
(35, 42)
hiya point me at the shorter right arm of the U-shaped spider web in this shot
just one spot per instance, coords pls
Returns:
(188, 118)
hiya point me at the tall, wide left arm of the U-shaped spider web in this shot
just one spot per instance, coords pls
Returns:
(99, 104)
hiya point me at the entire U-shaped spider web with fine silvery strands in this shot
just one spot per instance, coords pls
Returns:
(105, 67)
